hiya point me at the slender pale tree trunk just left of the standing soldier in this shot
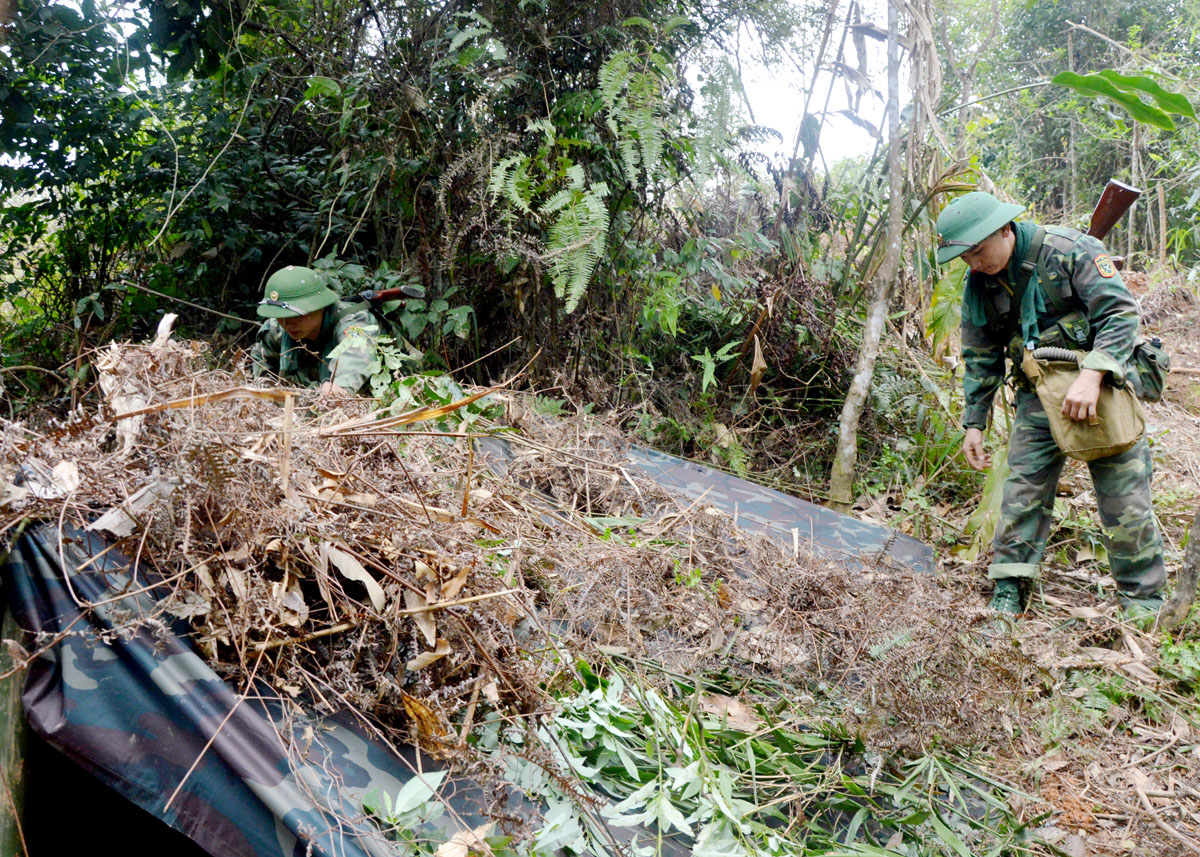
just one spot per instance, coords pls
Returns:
(842, 480)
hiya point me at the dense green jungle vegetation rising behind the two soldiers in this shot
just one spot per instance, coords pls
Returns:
(585, 185)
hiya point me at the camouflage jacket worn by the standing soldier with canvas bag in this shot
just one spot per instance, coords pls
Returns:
(1083, 304)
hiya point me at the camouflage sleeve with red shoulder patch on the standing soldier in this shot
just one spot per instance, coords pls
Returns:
(1112, 310)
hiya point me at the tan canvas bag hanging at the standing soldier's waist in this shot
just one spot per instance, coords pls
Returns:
(1120, 421)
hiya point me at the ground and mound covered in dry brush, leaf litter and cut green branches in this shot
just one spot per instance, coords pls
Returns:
(813, 699)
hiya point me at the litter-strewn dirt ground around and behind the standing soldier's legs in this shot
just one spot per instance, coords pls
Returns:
(1112, 739)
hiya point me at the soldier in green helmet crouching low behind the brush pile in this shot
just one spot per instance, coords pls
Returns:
(311, 337)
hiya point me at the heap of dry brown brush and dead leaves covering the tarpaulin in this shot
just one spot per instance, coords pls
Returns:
(379, 565)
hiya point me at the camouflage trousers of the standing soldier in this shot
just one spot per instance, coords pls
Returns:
(1123, 494)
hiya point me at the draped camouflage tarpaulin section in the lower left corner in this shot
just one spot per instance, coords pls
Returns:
(131, 703)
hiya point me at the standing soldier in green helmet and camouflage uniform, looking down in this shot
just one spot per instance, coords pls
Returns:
(1049, 286)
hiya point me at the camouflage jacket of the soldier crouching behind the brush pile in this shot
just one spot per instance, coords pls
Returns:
(311, 363)
